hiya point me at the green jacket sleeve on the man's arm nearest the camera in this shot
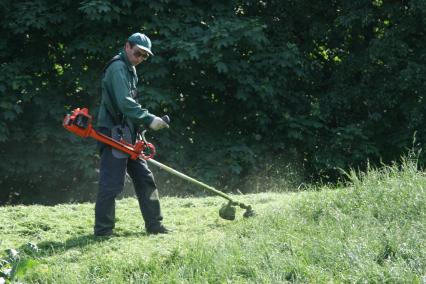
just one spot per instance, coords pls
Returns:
(125, 102)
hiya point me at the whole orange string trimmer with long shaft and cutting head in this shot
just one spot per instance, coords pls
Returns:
(79, 122)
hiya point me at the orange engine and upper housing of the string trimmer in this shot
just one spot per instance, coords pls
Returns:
(79, 122)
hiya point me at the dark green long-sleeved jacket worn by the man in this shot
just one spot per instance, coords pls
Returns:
(118, 97)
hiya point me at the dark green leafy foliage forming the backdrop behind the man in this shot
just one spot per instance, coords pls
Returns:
(336, 83)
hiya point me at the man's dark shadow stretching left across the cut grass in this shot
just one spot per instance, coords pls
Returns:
(49, 248)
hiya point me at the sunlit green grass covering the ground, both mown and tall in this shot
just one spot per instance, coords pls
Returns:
(370, 231)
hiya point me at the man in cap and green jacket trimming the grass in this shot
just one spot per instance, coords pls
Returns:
(121, 116)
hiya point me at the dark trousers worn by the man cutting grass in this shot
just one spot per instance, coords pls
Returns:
(111, 183)
